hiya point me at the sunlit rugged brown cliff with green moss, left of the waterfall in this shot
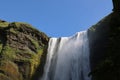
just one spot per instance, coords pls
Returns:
(22, 51)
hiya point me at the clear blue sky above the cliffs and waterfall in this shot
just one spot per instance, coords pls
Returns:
(56, 18)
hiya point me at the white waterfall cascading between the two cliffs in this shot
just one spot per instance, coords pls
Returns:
(68, 58)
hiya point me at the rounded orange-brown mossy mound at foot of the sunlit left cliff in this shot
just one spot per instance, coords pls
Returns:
(10, 70)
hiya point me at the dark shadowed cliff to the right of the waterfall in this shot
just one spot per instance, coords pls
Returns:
(105, 48)
